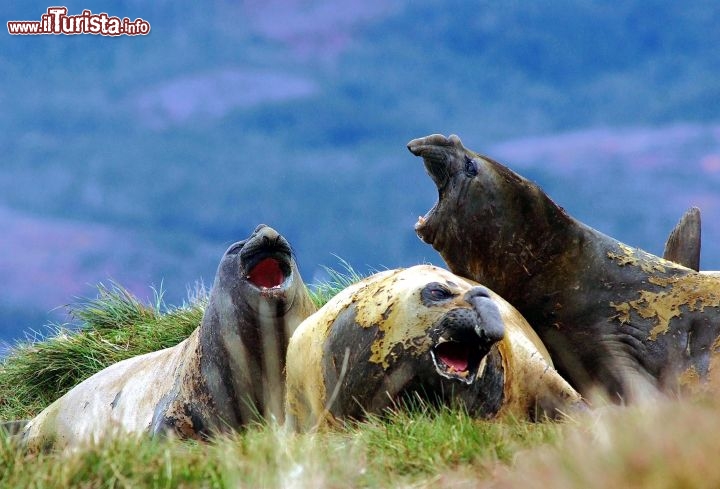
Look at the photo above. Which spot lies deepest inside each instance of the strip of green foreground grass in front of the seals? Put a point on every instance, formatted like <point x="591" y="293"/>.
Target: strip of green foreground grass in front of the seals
<point x="395" y="450"/>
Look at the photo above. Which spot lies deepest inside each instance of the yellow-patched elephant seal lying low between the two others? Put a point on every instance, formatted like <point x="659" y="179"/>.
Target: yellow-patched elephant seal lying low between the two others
<point x="420" y="331"/>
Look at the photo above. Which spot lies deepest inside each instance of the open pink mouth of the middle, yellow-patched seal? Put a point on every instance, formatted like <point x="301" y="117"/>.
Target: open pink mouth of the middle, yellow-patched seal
<point x="458" y="355"/>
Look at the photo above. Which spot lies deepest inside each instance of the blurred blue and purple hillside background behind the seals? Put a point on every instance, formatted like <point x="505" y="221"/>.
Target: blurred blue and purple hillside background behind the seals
<point x="142" y="158"/>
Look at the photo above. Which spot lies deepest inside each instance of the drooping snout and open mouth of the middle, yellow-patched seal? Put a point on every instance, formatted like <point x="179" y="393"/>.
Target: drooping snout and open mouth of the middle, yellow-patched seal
<point x="466" y="336"/>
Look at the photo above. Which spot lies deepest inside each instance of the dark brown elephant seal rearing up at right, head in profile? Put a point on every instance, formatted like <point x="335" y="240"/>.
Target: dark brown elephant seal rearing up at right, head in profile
<point x="611" y="315"/>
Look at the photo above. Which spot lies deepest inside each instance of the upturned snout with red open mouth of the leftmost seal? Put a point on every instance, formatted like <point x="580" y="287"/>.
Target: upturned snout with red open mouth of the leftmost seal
<point x="266" y="258"/>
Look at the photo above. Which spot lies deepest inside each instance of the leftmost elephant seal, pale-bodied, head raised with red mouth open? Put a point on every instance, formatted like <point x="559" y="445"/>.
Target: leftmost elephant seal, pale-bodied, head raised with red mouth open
<point x="227" y="373"/>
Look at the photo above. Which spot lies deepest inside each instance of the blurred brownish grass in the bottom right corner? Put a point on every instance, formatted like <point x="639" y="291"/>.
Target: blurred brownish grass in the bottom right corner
<point x="667" y="444"/>
